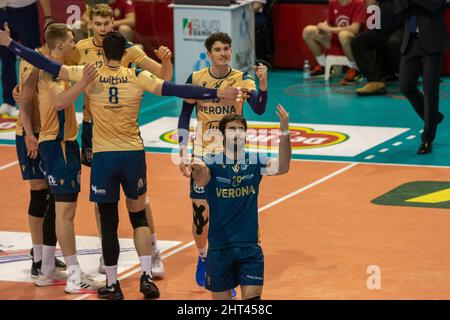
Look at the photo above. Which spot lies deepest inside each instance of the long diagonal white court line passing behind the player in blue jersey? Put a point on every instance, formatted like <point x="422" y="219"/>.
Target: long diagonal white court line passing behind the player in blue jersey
<point x="286" y="197"/>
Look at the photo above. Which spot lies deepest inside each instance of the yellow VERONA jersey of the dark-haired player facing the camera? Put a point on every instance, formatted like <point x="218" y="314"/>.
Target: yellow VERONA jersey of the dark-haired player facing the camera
<point x="210" y="112"/>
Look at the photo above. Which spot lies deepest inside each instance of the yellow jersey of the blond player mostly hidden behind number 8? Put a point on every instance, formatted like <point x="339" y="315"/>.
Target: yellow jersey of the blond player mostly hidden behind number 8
<point x="87" y="52"/>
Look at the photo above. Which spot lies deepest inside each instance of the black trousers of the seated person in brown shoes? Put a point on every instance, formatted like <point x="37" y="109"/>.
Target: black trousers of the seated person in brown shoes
<point x="377" y="53"/>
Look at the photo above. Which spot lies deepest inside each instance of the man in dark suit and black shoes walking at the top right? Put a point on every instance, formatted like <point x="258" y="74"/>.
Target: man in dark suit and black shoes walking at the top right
<point x="424" y="41"/>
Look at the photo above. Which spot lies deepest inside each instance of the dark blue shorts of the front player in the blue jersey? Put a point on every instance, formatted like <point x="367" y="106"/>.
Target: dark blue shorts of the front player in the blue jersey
<point x="229" y="267"/>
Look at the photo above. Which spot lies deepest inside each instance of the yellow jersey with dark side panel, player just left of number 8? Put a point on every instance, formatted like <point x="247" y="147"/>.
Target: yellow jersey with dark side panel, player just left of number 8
<point x="55" y="125"/>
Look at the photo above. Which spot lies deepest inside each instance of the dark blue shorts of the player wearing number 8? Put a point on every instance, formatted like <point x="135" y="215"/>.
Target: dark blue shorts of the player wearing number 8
<point x="115" y="168"/>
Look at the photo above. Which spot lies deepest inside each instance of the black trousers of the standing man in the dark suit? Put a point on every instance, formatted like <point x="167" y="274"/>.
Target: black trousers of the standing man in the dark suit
<point x="415" y="62"/>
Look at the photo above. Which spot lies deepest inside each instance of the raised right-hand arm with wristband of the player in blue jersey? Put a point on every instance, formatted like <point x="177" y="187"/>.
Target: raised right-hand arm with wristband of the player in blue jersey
<point x="281" y="165"/>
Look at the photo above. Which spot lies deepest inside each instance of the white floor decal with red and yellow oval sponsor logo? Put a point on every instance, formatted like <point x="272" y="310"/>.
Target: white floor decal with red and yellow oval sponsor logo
<point x="307" y="138"/>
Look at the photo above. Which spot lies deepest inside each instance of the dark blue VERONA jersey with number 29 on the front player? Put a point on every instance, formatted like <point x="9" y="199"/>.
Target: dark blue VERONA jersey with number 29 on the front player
<point x="232" y="195"/>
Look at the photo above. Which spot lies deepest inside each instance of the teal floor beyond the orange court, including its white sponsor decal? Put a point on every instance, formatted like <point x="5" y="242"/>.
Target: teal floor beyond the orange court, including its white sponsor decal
<point x="341" y="125"/>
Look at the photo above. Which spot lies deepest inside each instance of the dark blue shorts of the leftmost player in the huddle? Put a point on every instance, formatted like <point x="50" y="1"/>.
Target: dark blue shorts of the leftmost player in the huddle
<point x="31" y="168"/>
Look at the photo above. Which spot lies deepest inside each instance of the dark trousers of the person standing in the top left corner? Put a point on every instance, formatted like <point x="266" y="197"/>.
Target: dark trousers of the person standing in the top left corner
<point x="24" y="25"/>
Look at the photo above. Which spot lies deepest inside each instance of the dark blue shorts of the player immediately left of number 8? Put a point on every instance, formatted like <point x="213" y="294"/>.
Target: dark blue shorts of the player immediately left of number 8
<point x="62" y="165"/>
